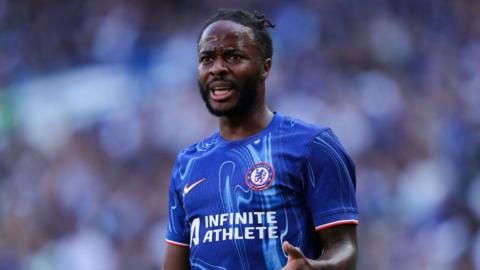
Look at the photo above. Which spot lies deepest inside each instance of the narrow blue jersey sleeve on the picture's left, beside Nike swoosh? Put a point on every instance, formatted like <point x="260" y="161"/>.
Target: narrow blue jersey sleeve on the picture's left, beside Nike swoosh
<point x="178" y="233"/>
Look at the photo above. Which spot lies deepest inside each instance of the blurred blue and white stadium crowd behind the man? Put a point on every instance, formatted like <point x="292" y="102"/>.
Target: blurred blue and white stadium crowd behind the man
<point x="97" y="97"/>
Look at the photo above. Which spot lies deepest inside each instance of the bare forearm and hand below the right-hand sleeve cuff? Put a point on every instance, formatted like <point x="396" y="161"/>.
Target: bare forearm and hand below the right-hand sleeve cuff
<point x="339" y="250"/>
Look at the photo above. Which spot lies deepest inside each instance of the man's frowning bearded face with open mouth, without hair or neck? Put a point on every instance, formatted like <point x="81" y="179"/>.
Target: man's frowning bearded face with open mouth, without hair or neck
<point x="229" y="68"/>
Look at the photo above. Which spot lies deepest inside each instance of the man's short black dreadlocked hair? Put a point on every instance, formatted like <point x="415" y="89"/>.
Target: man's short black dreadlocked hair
<point x="256" y="21"/>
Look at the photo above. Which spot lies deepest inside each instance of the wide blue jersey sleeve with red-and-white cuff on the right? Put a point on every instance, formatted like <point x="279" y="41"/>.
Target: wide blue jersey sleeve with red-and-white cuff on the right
<point x="330" y="182"/>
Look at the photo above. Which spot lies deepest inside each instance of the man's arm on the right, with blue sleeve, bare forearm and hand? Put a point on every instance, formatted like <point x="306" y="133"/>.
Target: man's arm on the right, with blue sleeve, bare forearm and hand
<point x="330" y="196"/>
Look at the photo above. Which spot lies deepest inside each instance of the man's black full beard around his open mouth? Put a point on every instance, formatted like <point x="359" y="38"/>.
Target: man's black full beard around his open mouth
<point x="246" y="101"/>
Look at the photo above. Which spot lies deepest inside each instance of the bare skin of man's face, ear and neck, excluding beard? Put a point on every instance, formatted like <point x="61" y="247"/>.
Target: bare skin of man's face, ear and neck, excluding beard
<point x="229" y="54"/>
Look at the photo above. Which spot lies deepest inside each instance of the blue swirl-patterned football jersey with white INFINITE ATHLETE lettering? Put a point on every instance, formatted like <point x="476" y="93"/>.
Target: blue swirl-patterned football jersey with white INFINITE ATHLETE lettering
<point x="233" y="203"/>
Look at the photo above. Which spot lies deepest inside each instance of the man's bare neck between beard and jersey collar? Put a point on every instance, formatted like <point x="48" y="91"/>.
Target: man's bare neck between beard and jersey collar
<point x="248" y="124"/>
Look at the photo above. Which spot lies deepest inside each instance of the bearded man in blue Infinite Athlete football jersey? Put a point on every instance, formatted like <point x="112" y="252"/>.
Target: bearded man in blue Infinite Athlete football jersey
<point x="266" y="191"/>
